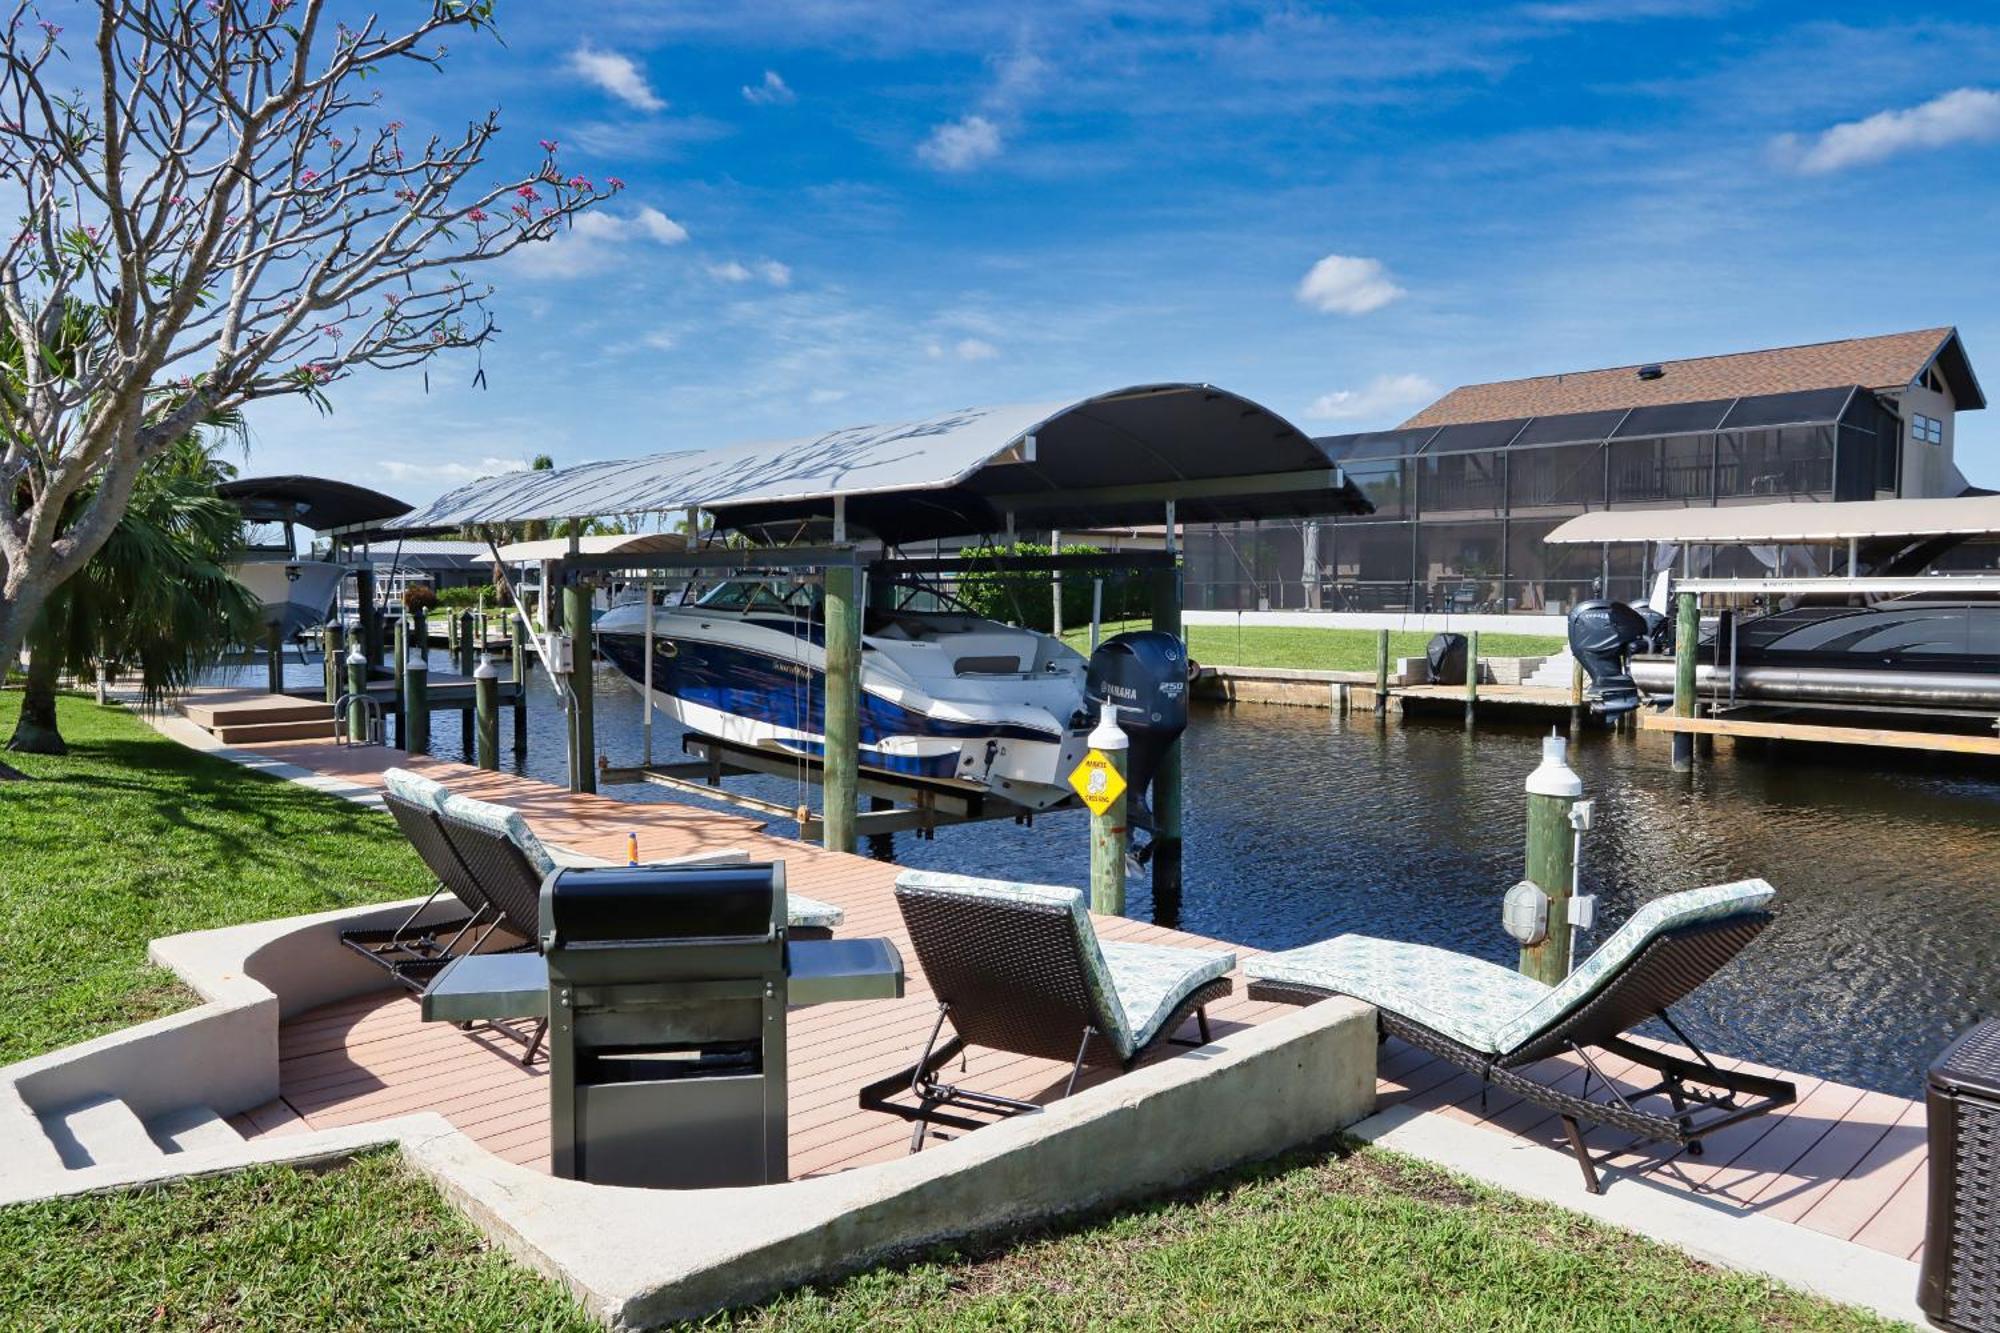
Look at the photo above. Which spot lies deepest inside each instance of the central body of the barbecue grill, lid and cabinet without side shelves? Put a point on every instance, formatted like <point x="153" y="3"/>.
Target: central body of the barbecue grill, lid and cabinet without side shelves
<point x="667" y="998"/>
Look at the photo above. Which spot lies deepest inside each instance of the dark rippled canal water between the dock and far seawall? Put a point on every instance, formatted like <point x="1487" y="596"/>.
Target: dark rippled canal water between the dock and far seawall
<point x="1303" y="824"/>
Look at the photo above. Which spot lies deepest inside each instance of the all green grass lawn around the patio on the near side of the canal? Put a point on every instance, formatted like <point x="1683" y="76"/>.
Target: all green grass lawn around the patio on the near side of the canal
<point x="133" y="838"/>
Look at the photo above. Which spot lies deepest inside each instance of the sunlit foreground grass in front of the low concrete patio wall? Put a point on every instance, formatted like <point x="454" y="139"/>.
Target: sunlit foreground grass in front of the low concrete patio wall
<point x="1331" y="1240"/>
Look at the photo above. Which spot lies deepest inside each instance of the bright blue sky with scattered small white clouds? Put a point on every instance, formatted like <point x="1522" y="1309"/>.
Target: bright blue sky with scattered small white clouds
<point x="845" y="213"/>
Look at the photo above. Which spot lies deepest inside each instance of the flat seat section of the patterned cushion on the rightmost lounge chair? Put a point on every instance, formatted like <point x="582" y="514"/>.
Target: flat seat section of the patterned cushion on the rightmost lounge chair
<point x="1467" y="1000"/>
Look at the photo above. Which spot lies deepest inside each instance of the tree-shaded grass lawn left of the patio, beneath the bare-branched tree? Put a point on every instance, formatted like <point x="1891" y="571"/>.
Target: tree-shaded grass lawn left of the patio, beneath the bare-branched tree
<point x="133" y="838"/>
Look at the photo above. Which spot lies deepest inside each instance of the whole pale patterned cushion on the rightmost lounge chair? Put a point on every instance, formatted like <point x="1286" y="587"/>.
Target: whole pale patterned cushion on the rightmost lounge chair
<point x="1479" y="1004"/>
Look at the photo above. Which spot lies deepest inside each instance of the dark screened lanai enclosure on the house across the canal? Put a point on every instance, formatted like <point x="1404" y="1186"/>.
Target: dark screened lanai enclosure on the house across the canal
<point x="1461" y="513"/>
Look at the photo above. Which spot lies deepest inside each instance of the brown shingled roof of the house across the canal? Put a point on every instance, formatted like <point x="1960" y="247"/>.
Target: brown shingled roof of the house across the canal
<point x="1889" y="361"/>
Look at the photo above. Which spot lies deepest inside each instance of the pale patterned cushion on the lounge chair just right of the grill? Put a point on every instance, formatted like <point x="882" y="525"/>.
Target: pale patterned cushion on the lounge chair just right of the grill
<point x="1135" y="986"/>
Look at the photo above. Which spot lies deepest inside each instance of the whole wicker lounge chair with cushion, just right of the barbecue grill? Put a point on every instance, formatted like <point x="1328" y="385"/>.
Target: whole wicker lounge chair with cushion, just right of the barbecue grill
<point x="1019" y="968"/>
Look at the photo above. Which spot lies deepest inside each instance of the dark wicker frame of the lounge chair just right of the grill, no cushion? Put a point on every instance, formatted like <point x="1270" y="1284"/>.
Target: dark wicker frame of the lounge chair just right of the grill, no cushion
<point x="973" y="954"/>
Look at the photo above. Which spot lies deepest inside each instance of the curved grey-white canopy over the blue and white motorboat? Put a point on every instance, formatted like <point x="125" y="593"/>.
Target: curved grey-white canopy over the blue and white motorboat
<point x="1111" y="459"/>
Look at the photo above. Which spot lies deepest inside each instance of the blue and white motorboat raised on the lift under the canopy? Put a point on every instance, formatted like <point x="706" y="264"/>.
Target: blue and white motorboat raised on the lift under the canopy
<point x="947" y="696"/>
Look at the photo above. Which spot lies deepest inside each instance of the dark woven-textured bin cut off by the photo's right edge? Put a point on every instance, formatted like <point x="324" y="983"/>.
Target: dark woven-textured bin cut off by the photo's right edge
<point x="1961" y="1276"/>
